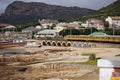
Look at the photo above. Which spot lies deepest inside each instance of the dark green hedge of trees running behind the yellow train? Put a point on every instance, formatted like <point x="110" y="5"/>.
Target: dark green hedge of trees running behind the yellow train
<point x="87" y="31"/>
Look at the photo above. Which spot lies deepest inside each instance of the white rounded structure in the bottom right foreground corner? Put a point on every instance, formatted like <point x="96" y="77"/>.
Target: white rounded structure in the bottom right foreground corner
<point x="109" y="68"/>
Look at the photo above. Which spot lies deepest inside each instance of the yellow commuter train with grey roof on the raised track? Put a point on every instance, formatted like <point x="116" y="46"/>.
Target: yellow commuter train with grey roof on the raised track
<point x="112" y="39"/>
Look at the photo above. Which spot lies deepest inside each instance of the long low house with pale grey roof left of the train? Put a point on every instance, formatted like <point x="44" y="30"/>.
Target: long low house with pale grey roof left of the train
<point x="47" y="33"/>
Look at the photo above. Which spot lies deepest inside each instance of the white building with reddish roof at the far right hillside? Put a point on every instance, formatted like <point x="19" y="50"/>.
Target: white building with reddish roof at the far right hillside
<point x="113" y="21"/>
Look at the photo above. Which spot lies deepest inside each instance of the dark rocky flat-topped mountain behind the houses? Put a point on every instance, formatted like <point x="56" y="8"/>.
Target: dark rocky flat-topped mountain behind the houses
<point x="23" y="12"/>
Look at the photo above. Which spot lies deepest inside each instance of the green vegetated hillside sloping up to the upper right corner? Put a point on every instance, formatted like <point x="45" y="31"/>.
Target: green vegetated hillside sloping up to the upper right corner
<point x="110" y="10"/>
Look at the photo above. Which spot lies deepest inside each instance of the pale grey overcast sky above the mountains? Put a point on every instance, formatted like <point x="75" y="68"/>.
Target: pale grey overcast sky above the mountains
<point x="91" y="4"/>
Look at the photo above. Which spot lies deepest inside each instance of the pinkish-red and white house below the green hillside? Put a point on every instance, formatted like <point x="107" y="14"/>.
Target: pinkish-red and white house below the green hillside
<point x="98" y="24"/>
